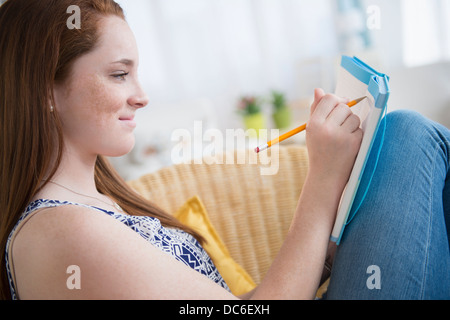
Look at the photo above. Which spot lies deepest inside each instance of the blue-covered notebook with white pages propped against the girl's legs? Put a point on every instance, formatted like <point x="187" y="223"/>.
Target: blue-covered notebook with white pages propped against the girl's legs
<point x="357" y="79"/>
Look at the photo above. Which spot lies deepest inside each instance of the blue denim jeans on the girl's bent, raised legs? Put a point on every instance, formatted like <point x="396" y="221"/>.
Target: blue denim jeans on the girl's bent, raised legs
<point x="397" y="246"/>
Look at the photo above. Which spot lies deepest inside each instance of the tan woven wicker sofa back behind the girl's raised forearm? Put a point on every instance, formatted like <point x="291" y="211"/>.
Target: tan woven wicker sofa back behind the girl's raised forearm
<point x="250" y="211"/>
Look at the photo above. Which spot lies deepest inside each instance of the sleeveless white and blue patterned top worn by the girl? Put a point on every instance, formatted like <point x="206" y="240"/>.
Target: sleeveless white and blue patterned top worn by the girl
<point x="177" y="243"/>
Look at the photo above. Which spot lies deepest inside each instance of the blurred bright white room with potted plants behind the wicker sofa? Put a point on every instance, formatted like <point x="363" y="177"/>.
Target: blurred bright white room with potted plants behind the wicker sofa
<point x="198" y="58"/>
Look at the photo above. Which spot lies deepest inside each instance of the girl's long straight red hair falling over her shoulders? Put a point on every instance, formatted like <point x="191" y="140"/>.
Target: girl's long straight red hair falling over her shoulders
<point x="37" y="50"/>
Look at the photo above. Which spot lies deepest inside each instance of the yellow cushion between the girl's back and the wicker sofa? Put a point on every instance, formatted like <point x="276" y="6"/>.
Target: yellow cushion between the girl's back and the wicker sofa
<point x="194" y="215"/>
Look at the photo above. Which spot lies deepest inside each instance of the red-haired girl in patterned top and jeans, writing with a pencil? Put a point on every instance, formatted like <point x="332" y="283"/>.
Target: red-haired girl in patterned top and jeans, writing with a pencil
<point x="68" y="100"/>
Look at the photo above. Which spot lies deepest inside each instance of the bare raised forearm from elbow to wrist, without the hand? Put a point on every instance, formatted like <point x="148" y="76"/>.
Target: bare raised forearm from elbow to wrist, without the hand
<point x="296" y="272"/>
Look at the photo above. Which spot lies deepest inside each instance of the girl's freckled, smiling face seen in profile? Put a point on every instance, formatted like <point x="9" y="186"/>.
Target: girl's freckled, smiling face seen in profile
<point x="97" y="104"/>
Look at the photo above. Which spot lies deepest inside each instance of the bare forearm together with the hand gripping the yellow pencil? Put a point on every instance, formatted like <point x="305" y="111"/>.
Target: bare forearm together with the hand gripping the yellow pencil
<point x="333" y="140"/>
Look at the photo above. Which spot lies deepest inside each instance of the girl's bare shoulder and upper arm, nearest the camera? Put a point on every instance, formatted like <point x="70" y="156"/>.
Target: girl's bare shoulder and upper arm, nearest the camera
<point x="71" y="252"/>
